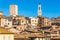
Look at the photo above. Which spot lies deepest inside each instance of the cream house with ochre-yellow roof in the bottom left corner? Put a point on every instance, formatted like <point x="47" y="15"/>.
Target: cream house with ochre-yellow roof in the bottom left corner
<point x="6" y="35"/>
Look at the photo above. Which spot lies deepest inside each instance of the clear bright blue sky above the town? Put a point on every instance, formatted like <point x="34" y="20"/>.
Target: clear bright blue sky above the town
<point x="50" y="8"/>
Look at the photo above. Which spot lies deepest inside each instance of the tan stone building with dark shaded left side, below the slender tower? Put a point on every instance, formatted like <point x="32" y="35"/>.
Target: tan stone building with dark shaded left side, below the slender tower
<point x="44" y="21"/>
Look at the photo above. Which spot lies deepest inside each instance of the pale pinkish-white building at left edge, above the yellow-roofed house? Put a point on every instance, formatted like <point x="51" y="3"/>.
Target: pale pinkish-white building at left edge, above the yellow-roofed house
<point x="4" y="22"/>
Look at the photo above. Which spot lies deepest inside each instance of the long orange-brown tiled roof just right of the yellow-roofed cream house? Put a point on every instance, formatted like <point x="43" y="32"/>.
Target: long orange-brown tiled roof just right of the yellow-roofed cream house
<point x="24" y="35"/>
